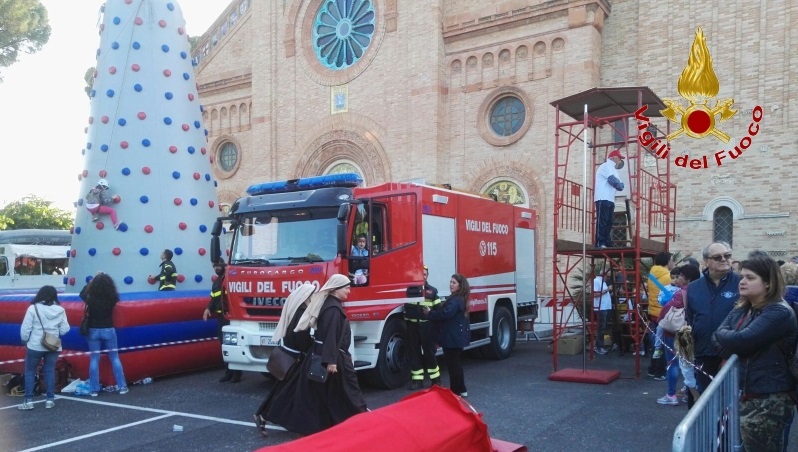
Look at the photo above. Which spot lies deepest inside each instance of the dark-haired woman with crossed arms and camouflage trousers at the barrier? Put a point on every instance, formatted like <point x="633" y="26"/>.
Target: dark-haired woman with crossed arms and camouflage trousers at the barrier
<point x="760" y="330"/>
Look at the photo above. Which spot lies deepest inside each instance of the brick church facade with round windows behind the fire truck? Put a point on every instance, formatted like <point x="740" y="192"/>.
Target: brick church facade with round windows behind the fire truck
<point x="459" y="92"/>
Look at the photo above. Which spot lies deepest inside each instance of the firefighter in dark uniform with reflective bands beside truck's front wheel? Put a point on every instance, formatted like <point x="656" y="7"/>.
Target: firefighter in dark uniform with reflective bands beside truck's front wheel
<point x="420" y="345"/>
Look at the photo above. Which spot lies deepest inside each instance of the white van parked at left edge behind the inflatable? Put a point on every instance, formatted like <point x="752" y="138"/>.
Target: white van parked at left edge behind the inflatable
<point x="31" y="258"/>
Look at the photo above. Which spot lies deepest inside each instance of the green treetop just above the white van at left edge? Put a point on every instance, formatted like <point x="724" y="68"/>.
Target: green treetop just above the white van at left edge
<point x="32" y="212"/>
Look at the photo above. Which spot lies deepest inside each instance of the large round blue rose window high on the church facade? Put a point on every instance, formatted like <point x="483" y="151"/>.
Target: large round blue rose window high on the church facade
<point x="342" y="32"/>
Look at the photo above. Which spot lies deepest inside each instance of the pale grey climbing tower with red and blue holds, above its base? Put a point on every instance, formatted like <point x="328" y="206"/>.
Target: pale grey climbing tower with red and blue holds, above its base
<point x="145" y="137"/>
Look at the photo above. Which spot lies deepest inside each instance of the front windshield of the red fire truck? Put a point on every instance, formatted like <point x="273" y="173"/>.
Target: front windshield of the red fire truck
<point x="285" y="237"/>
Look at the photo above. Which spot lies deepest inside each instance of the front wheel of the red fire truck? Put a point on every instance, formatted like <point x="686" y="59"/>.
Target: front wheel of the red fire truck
<point x="392" y="370"/>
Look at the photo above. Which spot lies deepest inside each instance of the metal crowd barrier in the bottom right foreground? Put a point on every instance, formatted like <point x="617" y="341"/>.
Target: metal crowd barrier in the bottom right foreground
<point x="713" y="423"/>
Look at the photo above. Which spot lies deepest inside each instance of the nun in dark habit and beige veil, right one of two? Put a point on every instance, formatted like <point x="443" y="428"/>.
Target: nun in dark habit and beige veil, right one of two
<point x="307" y="406"/>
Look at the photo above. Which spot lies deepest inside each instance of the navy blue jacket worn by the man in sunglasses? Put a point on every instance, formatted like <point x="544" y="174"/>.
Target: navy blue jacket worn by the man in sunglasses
<point x="707" y="306"/>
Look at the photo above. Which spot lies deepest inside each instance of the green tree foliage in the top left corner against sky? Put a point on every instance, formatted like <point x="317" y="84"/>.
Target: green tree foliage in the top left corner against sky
<point x="24" y="27"/>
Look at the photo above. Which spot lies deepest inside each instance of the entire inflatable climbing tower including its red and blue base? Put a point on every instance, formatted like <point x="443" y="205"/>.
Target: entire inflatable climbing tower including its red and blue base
<point x="146" y="140"/>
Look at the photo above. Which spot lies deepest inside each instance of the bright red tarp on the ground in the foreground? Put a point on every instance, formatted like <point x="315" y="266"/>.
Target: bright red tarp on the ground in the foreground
<point x="430" y="420"/>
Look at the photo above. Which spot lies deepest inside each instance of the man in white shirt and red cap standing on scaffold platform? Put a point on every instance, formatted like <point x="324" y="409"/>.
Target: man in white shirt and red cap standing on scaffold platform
<point x="607" y="183"/>
